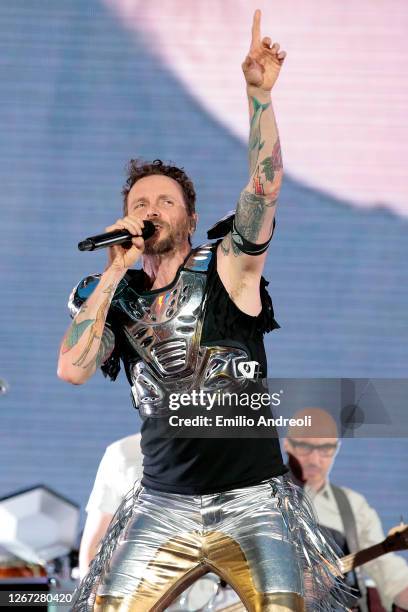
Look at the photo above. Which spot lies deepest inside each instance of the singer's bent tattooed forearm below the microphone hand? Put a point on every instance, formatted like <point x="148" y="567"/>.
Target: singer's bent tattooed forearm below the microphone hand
<point x="88" y="342"/>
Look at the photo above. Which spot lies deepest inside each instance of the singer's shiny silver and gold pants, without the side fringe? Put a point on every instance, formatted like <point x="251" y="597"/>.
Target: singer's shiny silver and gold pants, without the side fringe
<point x="171" y="540"/>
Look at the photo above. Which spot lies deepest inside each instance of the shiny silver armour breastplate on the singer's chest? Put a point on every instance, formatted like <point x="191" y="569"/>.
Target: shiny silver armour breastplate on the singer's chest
<point x="164" y="329"/>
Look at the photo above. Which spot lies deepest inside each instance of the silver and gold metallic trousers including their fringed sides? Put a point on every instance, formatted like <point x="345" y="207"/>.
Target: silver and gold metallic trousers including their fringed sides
<point x="261" y="539"/>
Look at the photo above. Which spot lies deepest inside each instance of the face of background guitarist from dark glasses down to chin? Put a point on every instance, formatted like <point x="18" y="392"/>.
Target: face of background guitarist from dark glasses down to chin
<point x="315" y="456"/>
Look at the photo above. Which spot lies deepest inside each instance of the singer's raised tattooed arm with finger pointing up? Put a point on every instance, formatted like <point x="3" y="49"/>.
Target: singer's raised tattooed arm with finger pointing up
<point x="257" y="203"/>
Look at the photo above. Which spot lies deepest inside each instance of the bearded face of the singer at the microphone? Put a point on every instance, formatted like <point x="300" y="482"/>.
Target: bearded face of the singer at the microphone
<point x="160" y="199"/>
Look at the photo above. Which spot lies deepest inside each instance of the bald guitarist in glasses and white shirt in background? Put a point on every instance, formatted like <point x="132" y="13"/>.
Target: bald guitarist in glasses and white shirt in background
<point x="353" y="523"/>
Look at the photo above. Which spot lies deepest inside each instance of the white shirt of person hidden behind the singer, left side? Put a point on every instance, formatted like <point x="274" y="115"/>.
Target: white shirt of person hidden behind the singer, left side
<point x="120" y="467"/>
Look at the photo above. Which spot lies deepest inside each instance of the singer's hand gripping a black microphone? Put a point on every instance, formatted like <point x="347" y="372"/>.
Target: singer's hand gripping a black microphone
<point x="124" y="239"/>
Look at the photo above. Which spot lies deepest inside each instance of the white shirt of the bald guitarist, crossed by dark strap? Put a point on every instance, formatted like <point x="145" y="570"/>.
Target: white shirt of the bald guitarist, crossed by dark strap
<point x="389" y="572"/>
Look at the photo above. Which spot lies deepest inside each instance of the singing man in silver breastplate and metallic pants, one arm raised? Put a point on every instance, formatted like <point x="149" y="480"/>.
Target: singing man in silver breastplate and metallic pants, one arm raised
<point x="187" y="321"/>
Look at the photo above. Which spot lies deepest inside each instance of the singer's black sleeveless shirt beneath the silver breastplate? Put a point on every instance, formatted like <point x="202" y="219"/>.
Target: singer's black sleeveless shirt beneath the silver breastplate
<point x="198" y="466"/>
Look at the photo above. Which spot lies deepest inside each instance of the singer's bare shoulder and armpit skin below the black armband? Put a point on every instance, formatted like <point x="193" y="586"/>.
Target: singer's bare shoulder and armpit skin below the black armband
<point x="243" y="287"/>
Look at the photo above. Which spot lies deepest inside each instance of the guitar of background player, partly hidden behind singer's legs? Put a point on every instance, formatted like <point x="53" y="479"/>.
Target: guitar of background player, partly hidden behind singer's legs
<point x="397" y="539"/>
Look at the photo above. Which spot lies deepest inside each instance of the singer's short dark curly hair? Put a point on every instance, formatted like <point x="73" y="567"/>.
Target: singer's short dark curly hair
<point x="137" y="169"/>
